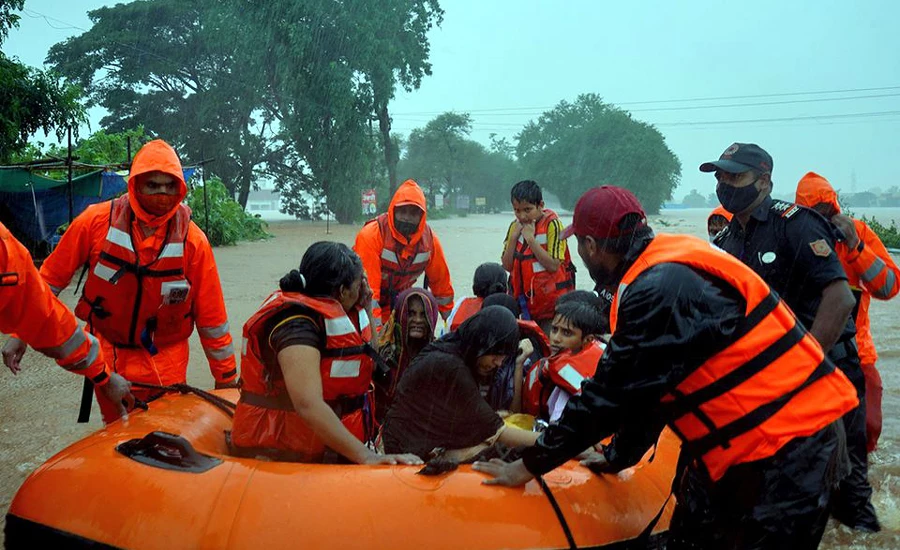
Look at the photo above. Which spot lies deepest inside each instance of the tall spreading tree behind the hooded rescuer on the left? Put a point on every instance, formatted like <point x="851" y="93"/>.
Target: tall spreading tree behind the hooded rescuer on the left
<point x="170" y="67"/>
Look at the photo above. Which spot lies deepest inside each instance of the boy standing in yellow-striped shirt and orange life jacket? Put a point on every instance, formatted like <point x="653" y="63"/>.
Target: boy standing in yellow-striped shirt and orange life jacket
<point x="536" y="255"/>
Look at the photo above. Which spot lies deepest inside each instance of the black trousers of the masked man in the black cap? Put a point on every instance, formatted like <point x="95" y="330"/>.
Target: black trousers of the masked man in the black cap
<point x="852" y="503"/>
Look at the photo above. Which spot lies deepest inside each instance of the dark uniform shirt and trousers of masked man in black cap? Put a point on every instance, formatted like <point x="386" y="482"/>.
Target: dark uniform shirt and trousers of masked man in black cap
<point x="792" y="248"/>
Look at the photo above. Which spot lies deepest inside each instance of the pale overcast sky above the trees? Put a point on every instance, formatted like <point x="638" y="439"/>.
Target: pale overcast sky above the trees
<point x="505" y="62"/>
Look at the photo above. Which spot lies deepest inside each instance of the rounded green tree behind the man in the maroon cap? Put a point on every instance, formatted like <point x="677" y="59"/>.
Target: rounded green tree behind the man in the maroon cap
<point x="579" y="145"/>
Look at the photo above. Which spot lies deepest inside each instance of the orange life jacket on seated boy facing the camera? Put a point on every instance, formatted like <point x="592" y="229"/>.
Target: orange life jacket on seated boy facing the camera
<point x="566" y="370"/>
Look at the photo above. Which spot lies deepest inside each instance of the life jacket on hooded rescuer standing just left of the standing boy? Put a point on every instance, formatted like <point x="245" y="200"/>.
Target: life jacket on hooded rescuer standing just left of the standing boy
<point x="397" y="273"/>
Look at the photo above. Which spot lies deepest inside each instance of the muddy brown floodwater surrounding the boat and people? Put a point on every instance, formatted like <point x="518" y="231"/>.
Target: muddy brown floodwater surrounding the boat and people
<point x="38" y="407"/>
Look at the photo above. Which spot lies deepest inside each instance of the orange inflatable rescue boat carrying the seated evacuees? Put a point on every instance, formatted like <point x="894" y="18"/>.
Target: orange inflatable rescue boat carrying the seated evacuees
<point x="128" y="487"/>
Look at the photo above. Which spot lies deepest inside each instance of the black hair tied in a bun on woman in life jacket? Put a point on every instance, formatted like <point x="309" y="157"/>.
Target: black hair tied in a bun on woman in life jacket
<point x="325" y="268"/>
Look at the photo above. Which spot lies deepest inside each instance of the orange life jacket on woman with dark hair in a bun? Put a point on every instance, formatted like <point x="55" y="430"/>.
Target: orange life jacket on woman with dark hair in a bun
<point x="265" y="416"/>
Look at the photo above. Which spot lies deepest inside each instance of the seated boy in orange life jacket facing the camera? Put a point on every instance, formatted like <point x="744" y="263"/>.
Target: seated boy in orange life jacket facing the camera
<point x="576" y="346"/>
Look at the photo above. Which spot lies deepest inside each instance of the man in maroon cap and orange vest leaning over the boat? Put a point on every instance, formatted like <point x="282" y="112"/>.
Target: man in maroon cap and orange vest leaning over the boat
<point x="700" y="343"/>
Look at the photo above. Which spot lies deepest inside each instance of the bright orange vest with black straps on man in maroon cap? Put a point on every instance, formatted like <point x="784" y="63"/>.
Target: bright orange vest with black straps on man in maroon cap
<point x="767" y="385"/>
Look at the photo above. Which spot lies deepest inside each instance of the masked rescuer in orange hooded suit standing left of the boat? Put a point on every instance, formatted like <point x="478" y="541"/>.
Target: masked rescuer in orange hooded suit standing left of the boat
<point x="151" y="276"/>
